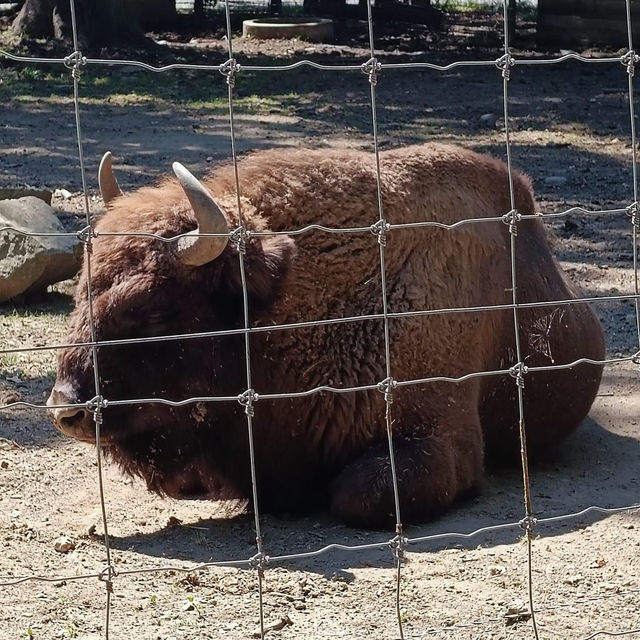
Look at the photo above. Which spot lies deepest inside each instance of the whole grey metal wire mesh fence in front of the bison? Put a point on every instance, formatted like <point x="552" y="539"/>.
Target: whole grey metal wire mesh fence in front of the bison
<point x="231" y="71"/>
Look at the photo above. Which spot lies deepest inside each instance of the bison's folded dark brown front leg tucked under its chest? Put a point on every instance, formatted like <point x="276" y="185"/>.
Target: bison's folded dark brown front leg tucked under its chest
<point x="434" y="467"/>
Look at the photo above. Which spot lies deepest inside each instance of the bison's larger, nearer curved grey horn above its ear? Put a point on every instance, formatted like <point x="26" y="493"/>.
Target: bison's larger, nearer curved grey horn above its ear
<point x="194" y="249"/>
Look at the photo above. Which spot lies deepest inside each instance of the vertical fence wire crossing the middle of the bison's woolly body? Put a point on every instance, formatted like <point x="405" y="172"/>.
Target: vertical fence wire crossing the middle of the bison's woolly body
<point x="372" y="68"/>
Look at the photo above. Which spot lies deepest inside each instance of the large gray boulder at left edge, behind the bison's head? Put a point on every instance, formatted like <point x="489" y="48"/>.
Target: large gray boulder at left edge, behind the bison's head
<point x="29" y="263"/>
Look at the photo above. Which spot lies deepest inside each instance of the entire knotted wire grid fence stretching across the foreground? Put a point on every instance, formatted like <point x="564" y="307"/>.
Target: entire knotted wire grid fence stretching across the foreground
<point x="381" y="229"/>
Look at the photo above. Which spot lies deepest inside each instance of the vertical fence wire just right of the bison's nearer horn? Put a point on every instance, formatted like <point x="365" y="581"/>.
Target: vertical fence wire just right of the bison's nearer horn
<point x="247" y="398"/>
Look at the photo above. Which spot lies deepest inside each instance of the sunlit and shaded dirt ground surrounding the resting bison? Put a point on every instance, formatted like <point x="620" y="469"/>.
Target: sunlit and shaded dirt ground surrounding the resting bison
<point x="571" y="134"/>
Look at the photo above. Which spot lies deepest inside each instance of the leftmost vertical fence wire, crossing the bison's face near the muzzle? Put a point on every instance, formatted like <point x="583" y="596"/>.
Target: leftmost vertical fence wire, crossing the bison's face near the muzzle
<point x="97" y="404"/>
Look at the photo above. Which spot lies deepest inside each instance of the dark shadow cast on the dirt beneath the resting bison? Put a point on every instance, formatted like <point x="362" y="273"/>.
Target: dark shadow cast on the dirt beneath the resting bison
<point x="595" y="467"/>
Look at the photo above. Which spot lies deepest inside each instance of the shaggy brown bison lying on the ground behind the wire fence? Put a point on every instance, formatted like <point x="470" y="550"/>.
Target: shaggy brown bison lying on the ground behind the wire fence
<point x="325" y="446"/>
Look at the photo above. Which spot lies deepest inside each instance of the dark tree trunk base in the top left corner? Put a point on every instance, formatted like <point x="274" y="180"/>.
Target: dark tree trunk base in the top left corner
<point x="99" y="22"/>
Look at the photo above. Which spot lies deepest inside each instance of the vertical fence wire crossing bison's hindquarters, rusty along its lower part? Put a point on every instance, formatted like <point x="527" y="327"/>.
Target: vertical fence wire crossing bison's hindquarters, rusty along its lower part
<point x="519" y="369"/>
